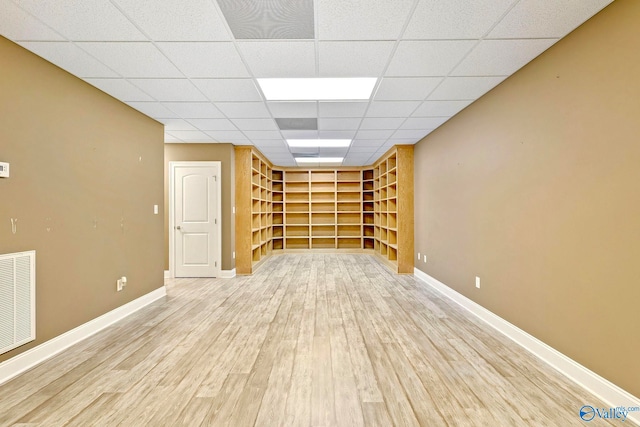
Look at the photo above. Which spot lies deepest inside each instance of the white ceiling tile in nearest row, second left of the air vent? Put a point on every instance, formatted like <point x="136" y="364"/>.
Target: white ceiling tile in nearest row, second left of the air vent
<point x="86" y="20"/>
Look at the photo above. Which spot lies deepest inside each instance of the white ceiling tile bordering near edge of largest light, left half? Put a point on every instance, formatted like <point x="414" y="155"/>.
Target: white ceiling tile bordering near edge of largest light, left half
<point x="280" y="59"/>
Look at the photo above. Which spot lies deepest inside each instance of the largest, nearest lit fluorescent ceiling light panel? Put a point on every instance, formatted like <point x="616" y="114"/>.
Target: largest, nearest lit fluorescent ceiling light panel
<point x="317" y="89"/>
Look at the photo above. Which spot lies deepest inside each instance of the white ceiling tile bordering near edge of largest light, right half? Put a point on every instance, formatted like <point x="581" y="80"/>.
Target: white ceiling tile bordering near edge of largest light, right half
<point x="353" y="59"/>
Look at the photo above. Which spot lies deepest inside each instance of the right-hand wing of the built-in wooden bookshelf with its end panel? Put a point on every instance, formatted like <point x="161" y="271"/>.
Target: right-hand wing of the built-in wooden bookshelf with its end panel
<point x="393" y="208"/>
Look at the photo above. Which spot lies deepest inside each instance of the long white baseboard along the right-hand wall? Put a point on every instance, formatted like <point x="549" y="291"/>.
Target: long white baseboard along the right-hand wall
<point x="605" y="390"/>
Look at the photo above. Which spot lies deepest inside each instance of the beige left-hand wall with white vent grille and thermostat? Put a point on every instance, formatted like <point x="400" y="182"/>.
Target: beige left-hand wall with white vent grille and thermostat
<point x="77" y="155"/>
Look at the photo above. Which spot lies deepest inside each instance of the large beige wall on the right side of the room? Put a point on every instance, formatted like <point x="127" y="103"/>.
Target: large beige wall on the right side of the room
<point x="535" y="188"/>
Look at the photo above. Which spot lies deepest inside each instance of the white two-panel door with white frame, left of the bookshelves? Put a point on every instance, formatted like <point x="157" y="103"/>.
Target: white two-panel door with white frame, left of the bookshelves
<point x="196" y="219"/>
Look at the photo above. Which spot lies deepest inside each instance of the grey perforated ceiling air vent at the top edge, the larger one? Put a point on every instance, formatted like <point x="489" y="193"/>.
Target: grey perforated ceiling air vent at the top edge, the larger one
<point x="269" y="19"/>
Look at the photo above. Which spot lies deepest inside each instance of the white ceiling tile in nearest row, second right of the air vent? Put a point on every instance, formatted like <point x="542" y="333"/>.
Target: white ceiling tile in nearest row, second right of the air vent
<point x="459" y="19"/>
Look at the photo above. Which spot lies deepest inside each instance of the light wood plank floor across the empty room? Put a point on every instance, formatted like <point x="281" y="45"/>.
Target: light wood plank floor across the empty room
<point x="309" y="340"/>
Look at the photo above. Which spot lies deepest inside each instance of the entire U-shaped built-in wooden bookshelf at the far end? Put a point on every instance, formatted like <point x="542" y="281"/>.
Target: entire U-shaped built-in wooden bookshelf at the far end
<point x="346" y="209"/>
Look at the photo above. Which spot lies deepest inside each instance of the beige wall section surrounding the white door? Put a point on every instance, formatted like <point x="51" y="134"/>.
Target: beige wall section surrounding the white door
<point x="207" y="152"/>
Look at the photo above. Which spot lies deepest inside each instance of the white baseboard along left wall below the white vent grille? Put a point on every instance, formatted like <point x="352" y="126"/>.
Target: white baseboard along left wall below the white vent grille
<point x="30" y="358"/>
